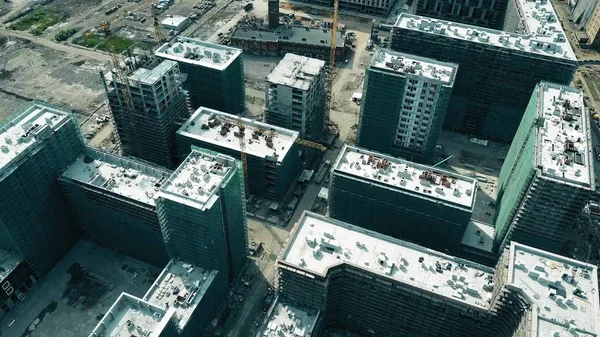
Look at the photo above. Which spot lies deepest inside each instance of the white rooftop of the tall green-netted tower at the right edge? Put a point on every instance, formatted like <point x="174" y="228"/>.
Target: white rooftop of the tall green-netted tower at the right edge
<point x="563" y="149"/>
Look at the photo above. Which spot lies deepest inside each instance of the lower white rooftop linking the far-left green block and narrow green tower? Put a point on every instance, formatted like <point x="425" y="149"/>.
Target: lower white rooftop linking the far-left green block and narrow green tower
<point x="126" y="177"/>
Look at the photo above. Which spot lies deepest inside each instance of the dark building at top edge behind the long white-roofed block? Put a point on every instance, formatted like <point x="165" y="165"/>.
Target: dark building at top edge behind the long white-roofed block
<point x="485" y="13"/>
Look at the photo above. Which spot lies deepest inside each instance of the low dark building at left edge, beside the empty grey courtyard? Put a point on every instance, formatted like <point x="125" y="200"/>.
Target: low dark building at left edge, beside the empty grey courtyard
<point x="15" y="279"/>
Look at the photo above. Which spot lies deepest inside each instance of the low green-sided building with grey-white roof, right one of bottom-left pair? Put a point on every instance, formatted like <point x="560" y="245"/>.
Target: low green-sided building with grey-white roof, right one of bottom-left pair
<point x="193" y="292"/>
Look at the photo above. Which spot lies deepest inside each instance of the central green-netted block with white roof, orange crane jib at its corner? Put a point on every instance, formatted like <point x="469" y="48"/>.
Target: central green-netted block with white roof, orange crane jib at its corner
<point x="272" y="156"/>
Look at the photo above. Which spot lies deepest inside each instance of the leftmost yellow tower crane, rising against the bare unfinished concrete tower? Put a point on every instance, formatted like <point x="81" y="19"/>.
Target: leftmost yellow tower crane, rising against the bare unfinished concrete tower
<point x="120" y="80"/>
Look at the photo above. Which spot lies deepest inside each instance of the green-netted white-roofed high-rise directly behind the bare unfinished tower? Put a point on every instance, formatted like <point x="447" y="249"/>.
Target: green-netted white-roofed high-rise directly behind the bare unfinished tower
<point x="215" y="73"/>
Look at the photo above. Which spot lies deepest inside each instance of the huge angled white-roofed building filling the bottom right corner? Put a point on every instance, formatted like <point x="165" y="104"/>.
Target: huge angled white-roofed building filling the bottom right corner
<point x="380" y="286"/>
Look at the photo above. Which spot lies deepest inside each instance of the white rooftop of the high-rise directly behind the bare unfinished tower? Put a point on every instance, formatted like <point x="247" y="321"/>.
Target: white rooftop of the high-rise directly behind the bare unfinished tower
<point x="198" y="52"/>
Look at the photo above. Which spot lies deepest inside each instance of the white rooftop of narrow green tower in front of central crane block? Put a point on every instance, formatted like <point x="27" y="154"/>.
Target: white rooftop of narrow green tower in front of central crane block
<point x="197" y="179"/>
